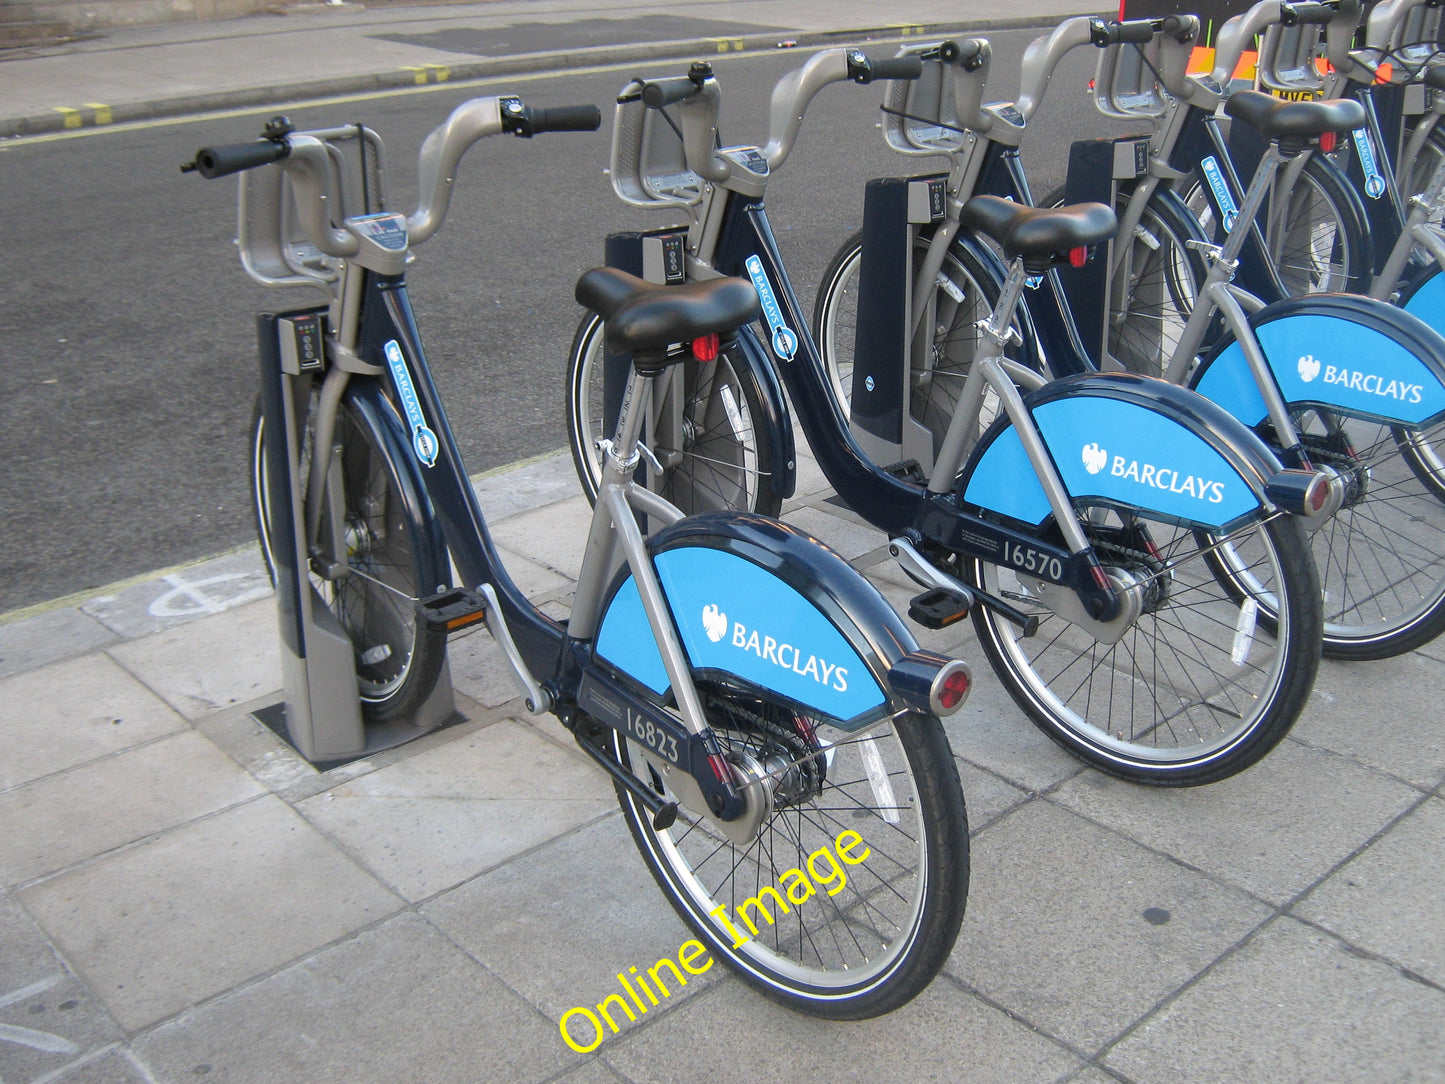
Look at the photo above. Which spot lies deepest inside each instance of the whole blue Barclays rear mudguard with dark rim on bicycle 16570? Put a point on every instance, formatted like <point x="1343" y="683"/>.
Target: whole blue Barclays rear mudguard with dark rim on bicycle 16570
<point x="1128" y="442"/>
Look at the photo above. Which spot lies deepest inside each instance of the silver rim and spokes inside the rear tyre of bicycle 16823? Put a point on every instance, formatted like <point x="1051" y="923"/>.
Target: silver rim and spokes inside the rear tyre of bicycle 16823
<point x="827" y="946"/>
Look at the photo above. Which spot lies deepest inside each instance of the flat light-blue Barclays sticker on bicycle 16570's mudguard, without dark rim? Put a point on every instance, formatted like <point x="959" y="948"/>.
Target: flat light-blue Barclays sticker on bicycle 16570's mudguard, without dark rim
<point x="1116" y="452"/>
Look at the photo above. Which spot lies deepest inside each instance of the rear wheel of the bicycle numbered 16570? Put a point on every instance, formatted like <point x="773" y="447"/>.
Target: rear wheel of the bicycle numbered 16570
<point x="1191" y="693"/>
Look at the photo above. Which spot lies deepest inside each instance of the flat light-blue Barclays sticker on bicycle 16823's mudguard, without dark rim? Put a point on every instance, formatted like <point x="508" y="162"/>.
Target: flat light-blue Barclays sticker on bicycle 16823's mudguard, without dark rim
<point x="741" y="619"/>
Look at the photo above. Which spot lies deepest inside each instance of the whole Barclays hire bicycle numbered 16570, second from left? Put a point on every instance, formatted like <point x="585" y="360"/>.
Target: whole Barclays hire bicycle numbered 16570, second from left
<point x="1066" y="567"/>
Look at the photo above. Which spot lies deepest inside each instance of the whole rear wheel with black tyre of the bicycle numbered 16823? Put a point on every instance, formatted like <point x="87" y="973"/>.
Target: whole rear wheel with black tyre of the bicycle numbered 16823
<point x="888" y="932"/>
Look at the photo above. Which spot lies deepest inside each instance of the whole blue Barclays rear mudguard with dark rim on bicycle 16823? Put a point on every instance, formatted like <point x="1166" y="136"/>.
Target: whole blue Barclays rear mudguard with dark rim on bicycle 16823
<point x="759" y="601"/>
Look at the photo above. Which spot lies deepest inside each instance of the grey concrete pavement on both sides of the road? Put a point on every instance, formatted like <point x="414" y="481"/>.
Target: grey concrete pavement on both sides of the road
<point x="183" y="898"/>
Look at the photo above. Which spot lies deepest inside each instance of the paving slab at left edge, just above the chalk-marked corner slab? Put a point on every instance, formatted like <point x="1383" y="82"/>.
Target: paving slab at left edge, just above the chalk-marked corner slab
<point x="74" y="816"/>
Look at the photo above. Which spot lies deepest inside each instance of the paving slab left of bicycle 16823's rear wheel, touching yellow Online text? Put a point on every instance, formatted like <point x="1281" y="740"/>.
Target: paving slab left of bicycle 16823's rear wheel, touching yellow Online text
<point x="563" y="923"/>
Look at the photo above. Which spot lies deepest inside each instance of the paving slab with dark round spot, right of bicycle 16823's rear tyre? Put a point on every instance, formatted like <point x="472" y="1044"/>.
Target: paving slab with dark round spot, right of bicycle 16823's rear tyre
<point x="1082" y="933"/>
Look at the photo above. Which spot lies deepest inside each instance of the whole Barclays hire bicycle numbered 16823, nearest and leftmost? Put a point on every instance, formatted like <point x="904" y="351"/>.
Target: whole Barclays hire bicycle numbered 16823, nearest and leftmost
<point x="732" y="762"/>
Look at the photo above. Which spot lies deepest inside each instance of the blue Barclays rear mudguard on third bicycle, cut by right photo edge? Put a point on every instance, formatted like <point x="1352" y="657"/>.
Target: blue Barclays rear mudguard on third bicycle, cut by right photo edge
<point x="1349" y="355"/>
